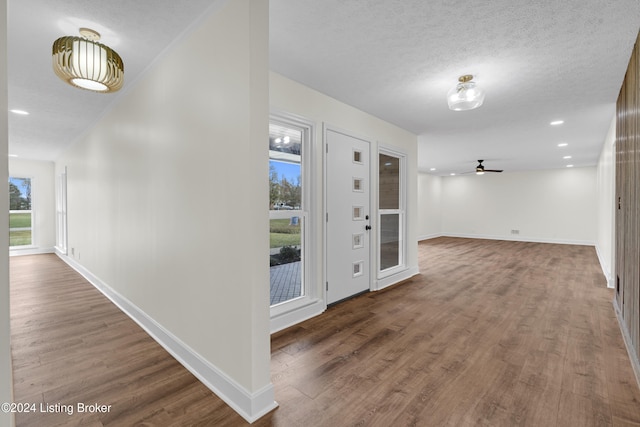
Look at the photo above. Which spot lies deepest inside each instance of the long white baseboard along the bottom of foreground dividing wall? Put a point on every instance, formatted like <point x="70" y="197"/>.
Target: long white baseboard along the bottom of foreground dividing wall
<point x="250" y="406"/>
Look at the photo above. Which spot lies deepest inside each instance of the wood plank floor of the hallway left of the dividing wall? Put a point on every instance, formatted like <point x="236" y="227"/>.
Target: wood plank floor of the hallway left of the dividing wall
<point x="71" y="345"/>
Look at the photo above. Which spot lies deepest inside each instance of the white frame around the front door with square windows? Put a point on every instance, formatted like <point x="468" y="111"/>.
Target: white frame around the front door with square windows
<point x="373" y="211"/>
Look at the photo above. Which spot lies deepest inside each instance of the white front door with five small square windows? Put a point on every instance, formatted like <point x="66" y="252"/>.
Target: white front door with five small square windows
<point x="348" y="216"/>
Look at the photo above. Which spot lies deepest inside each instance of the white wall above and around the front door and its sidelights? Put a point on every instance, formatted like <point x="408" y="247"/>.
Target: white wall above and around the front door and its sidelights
<point x="294" y="98"/>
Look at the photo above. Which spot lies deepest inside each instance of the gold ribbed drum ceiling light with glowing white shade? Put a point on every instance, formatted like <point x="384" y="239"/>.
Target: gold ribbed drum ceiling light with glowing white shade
<point x="87" y="64"/>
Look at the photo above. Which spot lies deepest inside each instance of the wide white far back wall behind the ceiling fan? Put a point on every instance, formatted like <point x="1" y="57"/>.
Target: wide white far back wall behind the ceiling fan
<point x="558" y="205"/>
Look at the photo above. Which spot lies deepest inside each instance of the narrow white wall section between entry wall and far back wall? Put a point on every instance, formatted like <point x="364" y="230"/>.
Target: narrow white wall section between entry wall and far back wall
<point x="429" y="206"/>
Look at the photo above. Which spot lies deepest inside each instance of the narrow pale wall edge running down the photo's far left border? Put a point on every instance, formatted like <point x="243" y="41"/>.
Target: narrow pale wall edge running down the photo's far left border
<point x="6" y="377"/>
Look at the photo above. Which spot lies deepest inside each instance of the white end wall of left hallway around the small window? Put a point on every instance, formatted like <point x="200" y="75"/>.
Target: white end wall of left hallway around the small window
<point x="44" y="202"/>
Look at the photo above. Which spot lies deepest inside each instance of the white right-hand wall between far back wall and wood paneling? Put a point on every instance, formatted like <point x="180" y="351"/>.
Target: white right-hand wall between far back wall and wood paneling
<point x="606" y="181"/>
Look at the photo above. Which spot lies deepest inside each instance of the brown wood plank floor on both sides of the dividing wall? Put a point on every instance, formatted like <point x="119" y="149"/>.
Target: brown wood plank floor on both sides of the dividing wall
<point x="490" y="333"/>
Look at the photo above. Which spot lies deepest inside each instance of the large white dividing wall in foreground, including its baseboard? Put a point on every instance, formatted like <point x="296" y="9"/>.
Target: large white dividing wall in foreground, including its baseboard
<point x="167" y="203"/>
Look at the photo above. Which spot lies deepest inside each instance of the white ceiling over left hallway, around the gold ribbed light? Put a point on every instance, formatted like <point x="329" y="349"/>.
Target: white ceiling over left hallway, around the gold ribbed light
<point x="138" y="30"/>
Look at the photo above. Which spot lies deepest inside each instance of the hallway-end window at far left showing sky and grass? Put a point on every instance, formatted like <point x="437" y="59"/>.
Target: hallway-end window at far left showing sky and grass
<point x="20" y="215"/>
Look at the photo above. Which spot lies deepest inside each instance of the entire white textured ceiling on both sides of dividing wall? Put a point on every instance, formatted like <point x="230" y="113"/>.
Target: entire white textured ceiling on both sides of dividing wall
<point x="396" y="59"/>
